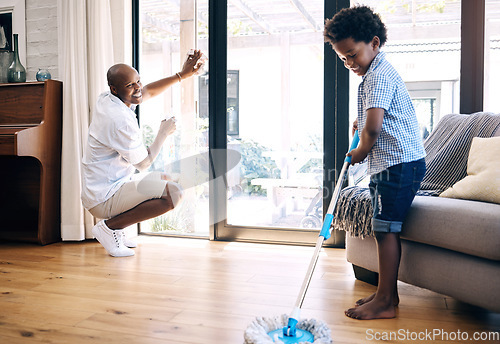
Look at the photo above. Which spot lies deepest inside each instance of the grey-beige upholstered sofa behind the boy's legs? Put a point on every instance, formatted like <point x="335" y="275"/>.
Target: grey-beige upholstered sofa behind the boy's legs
<point x="450" y="246"/>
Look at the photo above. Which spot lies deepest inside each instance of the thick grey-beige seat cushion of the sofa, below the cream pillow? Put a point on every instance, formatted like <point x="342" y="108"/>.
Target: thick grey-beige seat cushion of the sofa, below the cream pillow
<point x="465" y="226"/>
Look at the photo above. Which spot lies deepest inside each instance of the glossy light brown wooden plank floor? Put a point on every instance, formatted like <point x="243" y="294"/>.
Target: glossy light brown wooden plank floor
<point x="195" y="291"/>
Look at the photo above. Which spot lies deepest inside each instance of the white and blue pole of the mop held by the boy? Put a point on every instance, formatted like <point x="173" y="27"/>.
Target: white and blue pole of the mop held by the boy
<point x="326" y="229"/>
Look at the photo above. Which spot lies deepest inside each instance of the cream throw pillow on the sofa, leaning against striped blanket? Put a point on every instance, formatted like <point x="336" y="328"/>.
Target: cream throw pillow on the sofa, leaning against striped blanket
<point x="482" y="182"/>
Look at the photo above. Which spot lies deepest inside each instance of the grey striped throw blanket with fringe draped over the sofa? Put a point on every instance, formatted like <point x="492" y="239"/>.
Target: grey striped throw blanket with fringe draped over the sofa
<point x="447" y="151"/>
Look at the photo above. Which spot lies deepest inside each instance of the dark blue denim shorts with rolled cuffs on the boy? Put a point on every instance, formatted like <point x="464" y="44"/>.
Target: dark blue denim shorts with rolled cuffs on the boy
<point x="392" y="192"/>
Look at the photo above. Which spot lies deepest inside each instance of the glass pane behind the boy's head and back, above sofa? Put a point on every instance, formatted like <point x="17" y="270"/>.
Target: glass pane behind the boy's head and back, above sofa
<point x="424" y="46"/>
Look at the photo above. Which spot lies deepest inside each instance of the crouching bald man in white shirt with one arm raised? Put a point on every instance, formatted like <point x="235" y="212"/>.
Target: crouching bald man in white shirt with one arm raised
<point x="111" y="189"/>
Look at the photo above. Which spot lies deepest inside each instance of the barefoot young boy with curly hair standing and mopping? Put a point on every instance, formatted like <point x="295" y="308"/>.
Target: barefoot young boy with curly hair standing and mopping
<point x="389" y="140"/>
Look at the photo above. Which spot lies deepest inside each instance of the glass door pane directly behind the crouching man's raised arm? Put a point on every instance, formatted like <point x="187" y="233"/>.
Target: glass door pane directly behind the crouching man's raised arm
<point x="168" y="30"/>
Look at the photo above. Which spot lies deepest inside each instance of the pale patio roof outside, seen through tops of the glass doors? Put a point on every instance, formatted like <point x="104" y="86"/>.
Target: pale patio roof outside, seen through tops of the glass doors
<point x="427" y="19"/>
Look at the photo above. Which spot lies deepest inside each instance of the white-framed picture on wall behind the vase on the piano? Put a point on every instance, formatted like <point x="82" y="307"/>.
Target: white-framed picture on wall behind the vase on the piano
<point x="13" y="12"/>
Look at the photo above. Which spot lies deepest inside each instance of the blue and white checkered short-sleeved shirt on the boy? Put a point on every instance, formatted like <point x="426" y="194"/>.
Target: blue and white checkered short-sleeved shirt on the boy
<point x="399" y="140"/>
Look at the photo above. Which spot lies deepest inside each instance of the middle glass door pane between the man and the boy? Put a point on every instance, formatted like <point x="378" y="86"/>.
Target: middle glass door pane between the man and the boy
<point x="275" y="120"/>
